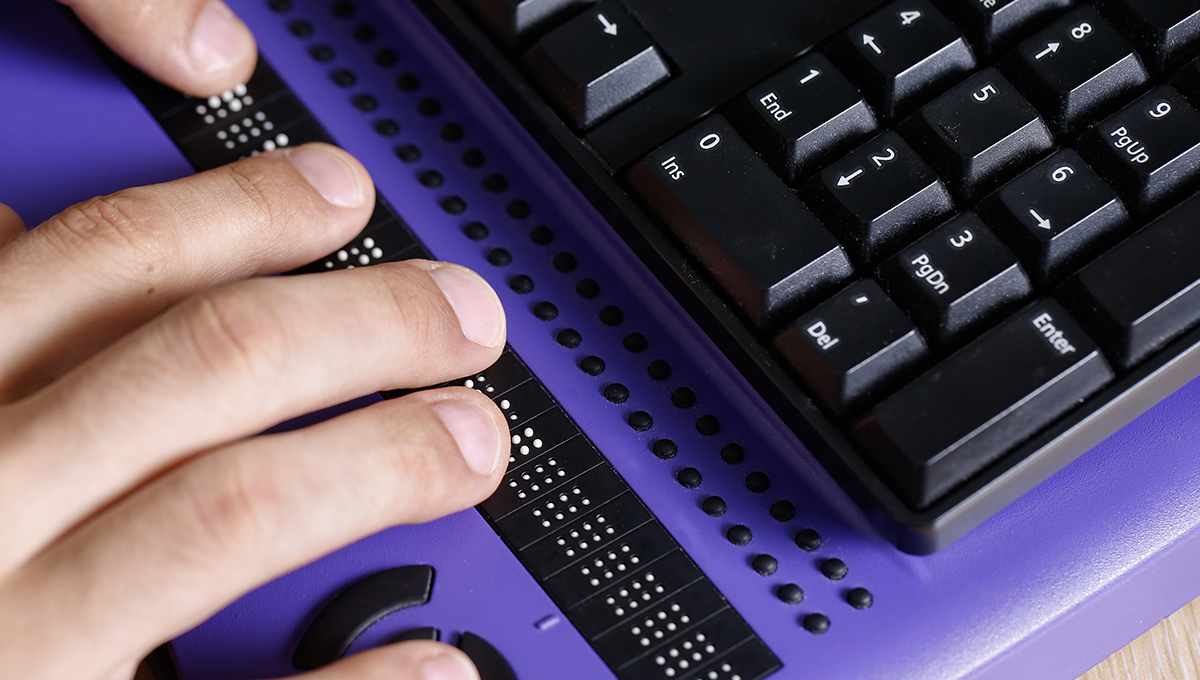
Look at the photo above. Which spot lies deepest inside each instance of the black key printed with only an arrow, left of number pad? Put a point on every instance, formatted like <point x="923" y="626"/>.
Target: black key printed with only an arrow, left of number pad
<point x="596" y="64"/>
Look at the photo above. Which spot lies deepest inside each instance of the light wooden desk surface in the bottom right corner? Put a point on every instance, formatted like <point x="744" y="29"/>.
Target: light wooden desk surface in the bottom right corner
<point x="1168" y="652"/>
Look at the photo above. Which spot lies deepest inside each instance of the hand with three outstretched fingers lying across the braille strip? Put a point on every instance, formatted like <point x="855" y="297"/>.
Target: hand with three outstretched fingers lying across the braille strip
<point x="136" y="365"/>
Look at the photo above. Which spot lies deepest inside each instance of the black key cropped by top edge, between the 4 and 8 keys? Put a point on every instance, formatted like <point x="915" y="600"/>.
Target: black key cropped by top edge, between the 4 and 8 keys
<point x="995" y="26"/>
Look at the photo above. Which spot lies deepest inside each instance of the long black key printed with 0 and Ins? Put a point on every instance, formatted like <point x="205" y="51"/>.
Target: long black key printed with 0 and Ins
<point x="740" y="220"/>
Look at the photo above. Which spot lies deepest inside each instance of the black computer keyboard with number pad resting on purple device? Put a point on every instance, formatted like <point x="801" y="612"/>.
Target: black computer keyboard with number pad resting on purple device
<point x="955" y="243"/>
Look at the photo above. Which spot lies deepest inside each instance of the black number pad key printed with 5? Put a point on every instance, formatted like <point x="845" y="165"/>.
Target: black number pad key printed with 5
<point x="979" y="134"/>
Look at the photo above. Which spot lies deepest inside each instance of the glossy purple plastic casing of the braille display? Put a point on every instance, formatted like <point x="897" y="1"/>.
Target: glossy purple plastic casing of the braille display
<point x="1057" y="582"/>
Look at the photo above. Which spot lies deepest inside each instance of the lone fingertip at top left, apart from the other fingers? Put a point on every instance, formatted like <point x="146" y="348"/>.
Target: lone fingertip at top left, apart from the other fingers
<point x="199" y="47"/>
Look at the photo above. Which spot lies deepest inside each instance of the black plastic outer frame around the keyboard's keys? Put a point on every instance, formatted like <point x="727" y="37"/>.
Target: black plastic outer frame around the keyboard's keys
<point x="915" y="531"/>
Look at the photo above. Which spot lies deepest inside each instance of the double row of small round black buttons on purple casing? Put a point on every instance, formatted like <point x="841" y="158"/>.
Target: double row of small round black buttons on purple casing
<point x="659" y="370"/>
